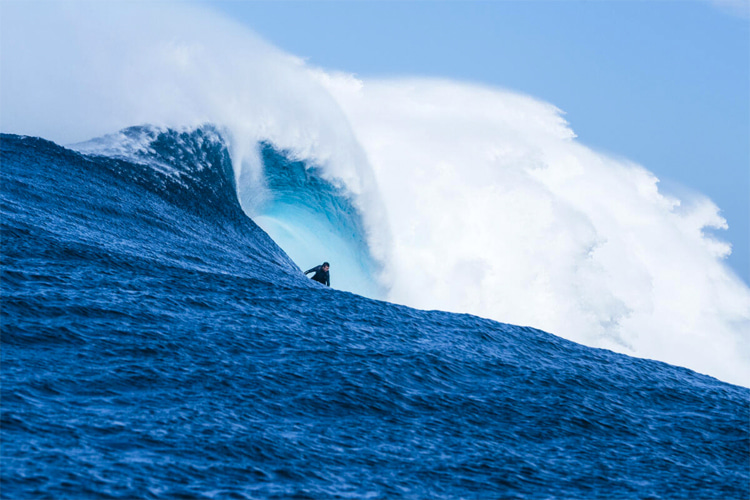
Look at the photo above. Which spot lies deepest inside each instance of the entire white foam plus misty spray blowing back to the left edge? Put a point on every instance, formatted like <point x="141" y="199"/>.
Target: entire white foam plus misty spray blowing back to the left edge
<point x="478" y="200"/>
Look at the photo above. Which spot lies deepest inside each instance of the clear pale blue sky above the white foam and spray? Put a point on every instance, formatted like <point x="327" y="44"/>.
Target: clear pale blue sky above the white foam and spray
<point x="663" y="83"/>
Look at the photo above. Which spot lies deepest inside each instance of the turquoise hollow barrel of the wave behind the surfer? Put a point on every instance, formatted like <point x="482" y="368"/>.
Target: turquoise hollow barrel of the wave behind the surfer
<point x="314" y="221"/>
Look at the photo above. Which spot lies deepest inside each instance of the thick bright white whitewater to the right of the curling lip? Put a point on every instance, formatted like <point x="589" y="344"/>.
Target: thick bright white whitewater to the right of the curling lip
<point x="496" y="210"/>
